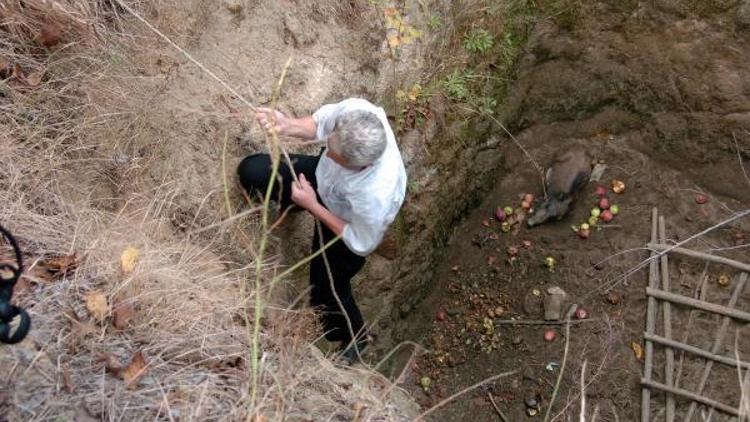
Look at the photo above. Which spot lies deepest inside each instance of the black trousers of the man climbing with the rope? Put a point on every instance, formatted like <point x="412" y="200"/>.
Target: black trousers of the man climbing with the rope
<point x="254" y="172"/>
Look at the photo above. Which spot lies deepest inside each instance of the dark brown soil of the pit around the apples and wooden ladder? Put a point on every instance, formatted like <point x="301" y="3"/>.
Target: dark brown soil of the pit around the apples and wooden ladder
<point x="661" y="97"/>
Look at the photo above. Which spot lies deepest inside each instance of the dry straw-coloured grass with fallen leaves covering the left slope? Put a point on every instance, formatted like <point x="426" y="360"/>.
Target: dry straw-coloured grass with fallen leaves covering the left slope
<point x="133" y="316"/>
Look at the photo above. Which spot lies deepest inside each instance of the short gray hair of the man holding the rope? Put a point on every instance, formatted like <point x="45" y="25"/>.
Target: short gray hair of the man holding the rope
<point x="359" y="137"/>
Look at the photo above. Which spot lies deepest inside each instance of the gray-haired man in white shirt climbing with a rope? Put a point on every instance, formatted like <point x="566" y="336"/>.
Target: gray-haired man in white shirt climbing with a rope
<point x="354" y="188"/>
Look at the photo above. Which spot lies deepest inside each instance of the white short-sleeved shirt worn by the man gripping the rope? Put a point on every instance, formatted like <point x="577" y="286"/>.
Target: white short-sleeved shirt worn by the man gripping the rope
<point x="368" y="199"/>
